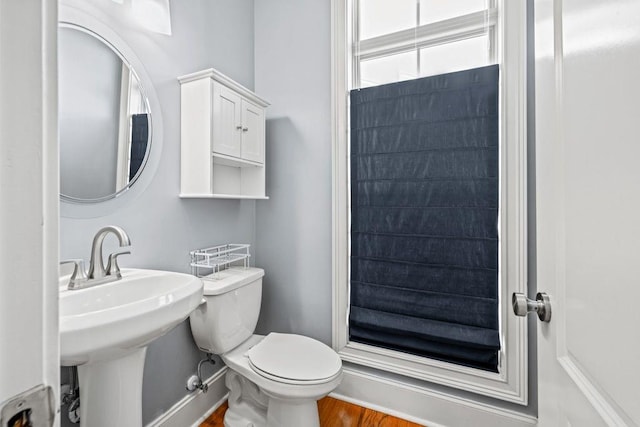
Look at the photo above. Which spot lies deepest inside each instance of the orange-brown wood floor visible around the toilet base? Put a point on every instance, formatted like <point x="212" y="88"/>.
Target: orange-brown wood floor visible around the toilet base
<point x="333" y="413"/>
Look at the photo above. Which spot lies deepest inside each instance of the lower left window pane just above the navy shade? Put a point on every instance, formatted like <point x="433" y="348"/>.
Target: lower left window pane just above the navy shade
<point x="388" y="69"/>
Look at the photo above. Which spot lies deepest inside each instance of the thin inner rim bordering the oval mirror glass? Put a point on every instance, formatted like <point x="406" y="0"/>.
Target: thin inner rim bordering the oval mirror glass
<point x="71" y="199"/>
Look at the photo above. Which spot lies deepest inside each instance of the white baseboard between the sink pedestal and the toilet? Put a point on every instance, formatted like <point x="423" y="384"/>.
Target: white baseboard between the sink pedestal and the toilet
<point x="196" y="407"/>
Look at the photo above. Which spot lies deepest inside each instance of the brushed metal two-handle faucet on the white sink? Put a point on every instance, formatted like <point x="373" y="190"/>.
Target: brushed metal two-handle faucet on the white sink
<point x="97" y="272"/>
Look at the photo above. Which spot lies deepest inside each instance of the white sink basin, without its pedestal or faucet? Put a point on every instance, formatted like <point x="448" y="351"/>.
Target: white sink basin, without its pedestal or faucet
<point x="108" y="320"/>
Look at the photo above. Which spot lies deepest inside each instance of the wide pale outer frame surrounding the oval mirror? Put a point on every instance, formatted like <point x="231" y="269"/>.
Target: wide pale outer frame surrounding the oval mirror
<point x="83" y="17"/>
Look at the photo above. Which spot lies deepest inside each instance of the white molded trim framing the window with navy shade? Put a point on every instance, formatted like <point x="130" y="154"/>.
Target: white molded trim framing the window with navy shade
<point x="510" y="383"/>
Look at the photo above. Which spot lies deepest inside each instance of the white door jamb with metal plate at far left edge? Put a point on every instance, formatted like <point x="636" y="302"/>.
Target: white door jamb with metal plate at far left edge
<point x="29" y="358"/>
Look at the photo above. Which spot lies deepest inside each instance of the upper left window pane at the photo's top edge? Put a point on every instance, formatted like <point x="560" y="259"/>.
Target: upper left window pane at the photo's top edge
<point x="378" y="17"/>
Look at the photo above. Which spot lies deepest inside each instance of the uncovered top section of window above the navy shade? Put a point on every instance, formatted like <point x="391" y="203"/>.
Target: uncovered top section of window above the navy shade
<point x="407" y="39"/>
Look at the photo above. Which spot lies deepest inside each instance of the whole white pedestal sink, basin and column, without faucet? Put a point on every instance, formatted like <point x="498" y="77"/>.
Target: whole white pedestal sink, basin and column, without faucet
<point x="105" y="330"/>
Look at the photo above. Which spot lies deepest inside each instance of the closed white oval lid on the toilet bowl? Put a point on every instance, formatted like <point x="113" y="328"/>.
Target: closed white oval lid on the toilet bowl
<point x="294" y="358"/>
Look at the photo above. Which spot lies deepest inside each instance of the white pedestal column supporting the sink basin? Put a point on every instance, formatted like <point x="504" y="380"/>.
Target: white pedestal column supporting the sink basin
<point x="111" y="391"/>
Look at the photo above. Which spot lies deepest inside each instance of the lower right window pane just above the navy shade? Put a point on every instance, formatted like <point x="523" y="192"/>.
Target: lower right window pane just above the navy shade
<point x="455" y="56"/>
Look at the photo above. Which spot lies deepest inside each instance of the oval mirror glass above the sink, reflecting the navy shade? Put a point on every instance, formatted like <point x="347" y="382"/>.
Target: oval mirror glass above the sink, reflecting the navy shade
<point x="104" y="118"/>
